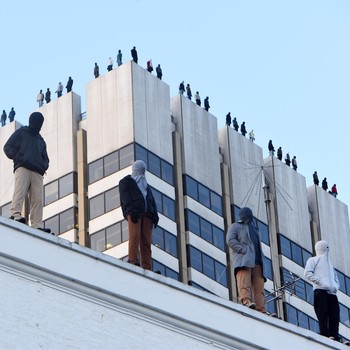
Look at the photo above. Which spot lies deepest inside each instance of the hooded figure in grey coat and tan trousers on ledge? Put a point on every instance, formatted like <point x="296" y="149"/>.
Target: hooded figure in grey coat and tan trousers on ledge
<point x="243" y="238"/>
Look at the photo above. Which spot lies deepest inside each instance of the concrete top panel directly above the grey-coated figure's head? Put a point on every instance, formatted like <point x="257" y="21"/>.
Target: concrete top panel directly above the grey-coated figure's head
<point x="245" y="160"/>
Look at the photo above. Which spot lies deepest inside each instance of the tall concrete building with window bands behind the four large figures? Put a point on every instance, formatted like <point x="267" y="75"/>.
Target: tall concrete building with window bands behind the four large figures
<point x="200" y="176"/>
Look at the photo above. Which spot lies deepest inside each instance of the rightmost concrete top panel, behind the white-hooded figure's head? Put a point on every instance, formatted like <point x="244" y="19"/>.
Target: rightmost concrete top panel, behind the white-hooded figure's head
<point x="332" y="218"/>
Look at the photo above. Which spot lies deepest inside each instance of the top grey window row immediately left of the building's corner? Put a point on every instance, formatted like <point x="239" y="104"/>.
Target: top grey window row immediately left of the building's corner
<point x="111" y="163"/>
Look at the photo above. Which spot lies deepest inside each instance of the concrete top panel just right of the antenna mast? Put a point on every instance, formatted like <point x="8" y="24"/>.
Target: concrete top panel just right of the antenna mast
<point x="292" y="201"/>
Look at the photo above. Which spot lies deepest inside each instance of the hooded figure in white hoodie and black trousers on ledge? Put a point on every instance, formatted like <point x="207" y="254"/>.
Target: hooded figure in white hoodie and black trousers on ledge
<point x="320" y="272"/>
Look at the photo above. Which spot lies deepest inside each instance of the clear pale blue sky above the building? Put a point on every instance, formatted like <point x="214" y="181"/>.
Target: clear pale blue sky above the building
<point x="281" y="66"/>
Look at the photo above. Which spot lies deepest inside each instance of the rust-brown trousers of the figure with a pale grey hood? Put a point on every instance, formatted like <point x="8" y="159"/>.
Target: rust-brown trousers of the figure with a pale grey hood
<point x="140" y="239"/>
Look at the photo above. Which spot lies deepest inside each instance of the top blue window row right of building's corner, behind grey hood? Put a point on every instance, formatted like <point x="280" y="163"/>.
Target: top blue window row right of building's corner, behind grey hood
<point x="155" y="165"/>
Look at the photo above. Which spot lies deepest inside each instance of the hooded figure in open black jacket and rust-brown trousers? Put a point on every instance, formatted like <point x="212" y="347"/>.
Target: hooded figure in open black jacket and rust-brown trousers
<point x="140" y="210"/>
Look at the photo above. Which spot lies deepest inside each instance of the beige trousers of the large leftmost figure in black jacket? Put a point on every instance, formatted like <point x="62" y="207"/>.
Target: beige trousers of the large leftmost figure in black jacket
<point x="31" y="183"/>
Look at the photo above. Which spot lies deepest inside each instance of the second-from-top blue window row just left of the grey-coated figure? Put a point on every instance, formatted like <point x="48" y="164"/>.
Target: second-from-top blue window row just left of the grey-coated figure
<point x="204" y="229"/>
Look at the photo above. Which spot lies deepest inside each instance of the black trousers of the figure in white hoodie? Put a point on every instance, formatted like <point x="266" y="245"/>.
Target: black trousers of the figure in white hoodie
<point x="327" y="311"/>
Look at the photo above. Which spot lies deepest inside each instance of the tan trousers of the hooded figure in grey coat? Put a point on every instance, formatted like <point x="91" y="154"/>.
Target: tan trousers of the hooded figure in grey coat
<point x="250" y="283"/>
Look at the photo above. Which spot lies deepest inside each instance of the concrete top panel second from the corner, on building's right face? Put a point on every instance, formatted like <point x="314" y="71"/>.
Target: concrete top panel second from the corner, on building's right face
<point x="200" y="145"/>
